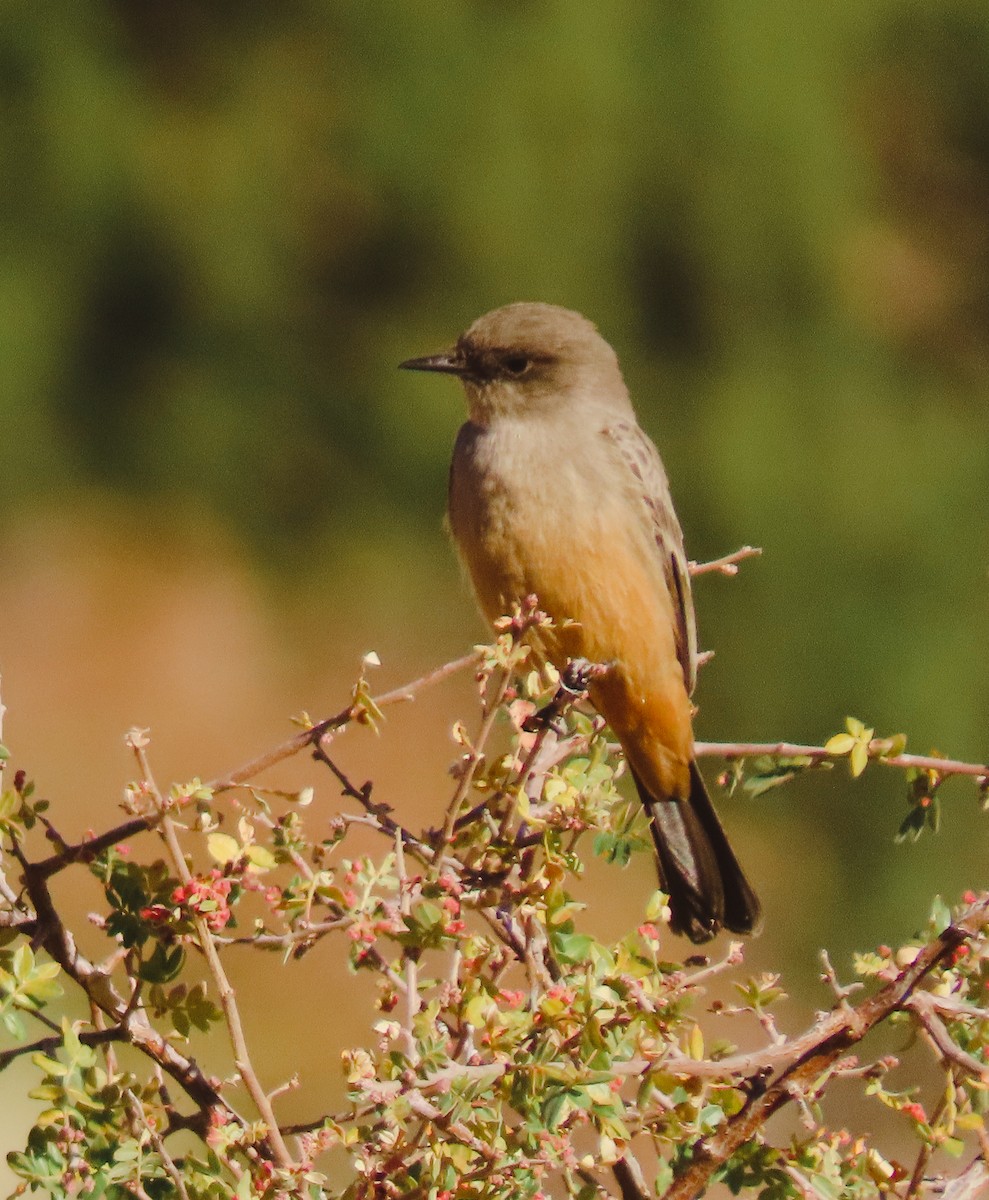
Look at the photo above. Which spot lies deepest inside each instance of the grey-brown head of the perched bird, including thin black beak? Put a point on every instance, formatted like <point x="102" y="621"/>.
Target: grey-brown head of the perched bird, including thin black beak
<point x="531" y="358"/>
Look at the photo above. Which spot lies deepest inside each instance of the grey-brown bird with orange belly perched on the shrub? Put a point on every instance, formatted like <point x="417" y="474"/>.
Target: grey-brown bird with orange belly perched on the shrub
<point x="556" y="491"/>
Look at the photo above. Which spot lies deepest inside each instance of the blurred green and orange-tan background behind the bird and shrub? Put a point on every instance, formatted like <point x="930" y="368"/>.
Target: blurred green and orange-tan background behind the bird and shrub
<point x="224" y="225"/>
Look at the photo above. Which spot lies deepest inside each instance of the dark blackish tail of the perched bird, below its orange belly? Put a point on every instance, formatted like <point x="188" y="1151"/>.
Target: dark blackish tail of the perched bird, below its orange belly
<point x="698" y="867"/>
